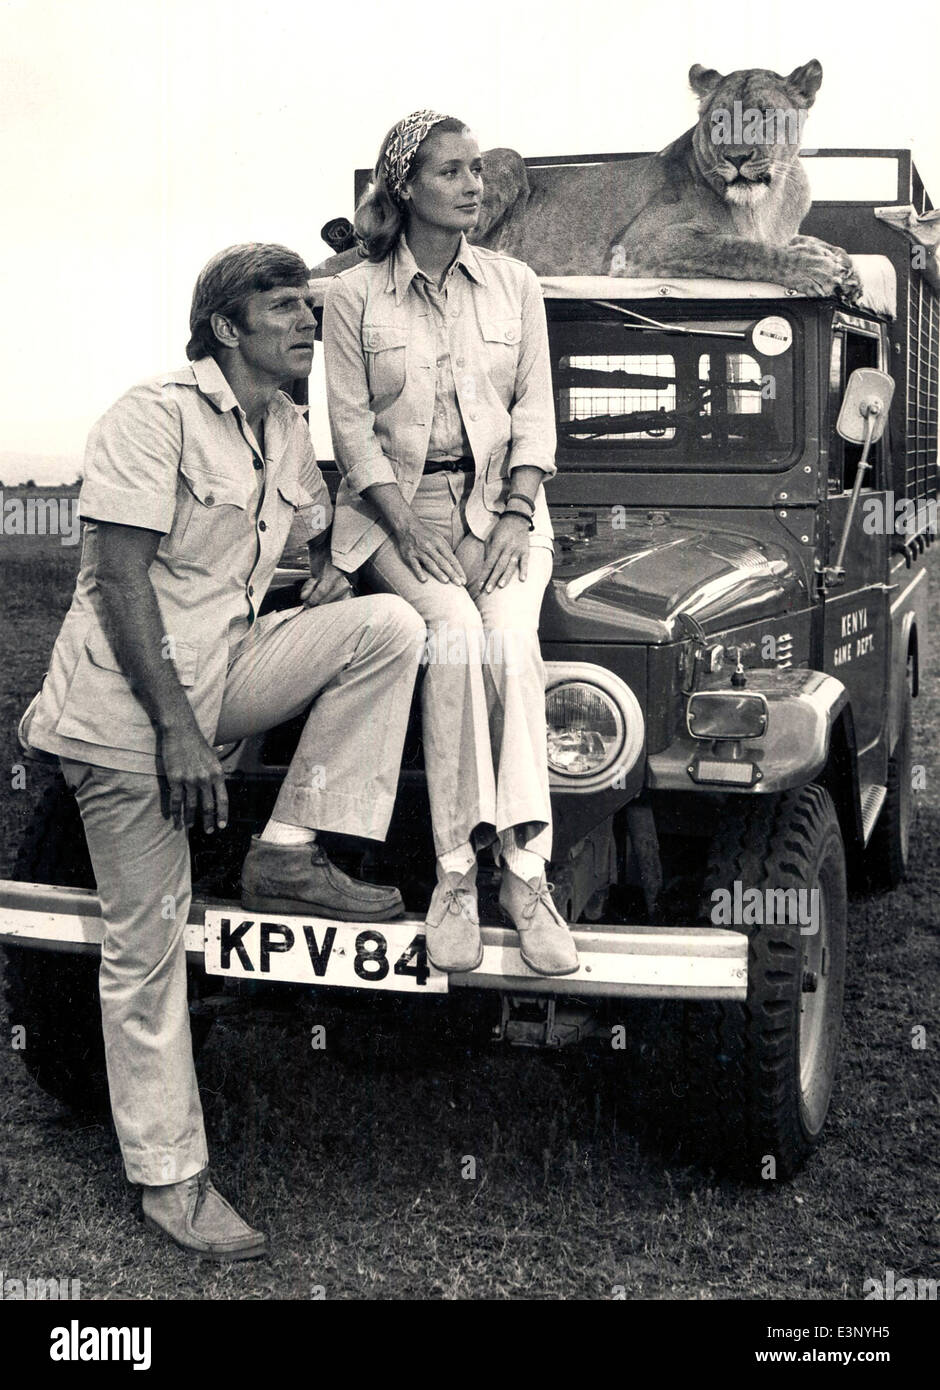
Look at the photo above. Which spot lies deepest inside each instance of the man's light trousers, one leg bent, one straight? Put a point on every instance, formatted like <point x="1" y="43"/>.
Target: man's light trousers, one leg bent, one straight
<point x="359" y="658"/>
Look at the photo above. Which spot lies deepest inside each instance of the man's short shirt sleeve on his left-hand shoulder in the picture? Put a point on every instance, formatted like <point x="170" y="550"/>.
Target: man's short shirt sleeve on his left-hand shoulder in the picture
<point x="133" y="462"/>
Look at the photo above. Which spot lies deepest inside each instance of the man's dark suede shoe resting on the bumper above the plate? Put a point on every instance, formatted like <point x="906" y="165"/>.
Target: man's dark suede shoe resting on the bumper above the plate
<point x="300" y="879"/>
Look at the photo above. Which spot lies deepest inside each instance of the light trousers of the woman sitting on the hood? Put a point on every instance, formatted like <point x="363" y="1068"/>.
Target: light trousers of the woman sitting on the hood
<point x="485" y="686"/>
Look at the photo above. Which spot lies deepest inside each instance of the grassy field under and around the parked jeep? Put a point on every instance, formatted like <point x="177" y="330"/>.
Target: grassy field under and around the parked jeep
<point x="354" y="1157"/>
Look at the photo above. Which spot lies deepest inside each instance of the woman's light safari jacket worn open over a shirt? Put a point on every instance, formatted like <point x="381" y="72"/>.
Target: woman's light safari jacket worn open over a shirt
<point x="382" y="348"/>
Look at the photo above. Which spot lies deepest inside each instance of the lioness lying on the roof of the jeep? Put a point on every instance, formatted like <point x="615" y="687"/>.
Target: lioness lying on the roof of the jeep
<point x="727" y="199"/>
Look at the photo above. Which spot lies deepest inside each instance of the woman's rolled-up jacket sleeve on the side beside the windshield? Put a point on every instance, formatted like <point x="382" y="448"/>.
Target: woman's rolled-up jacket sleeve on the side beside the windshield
<point x="533" y="409"/>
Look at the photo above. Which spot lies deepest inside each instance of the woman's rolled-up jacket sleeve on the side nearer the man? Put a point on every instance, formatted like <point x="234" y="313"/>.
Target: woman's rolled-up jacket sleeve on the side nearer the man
<point x="352" y="423"/>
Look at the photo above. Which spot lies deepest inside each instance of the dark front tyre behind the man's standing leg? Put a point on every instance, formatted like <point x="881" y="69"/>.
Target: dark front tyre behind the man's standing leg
<point x="54" y="995"/>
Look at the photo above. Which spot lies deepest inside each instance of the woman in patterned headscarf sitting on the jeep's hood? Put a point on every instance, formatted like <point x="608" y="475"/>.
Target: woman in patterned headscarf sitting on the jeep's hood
<point x="443" y="422"/>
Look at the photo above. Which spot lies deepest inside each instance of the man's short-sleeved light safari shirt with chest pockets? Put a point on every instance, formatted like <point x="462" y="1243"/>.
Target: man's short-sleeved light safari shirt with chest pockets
<point x="176" y="455"/>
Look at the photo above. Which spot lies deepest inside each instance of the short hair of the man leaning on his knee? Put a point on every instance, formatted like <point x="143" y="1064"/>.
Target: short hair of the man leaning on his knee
<point x="229" y="280"/>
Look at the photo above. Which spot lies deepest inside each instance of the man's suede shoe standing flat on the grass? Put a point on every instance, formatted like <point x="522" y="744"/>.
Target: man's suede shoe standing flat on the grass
<point x="201" y="1221"/>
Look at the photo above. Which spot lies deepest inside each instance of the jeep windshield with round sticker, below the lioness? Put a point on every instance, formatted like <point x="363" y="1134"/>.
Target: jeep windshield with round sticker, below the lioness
<point x="692" y="394"/>
